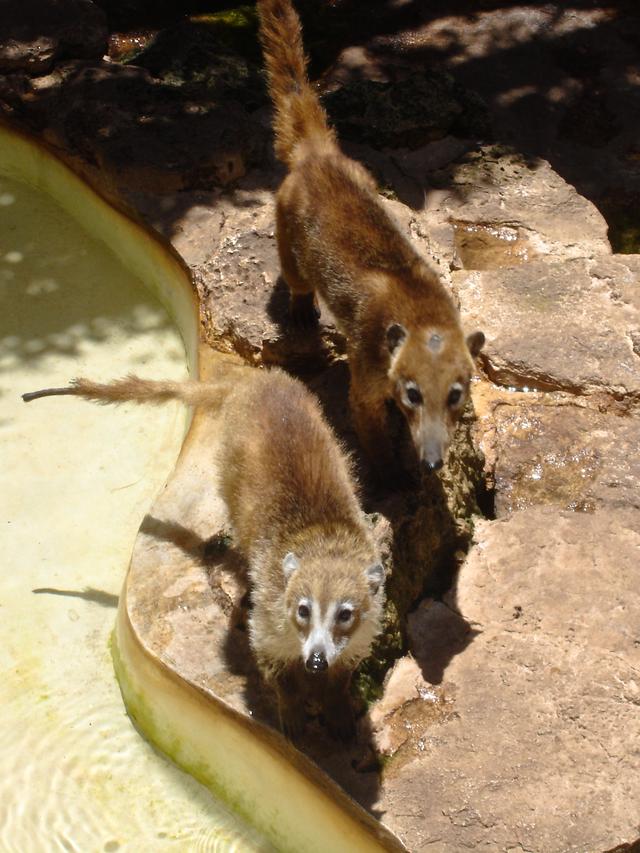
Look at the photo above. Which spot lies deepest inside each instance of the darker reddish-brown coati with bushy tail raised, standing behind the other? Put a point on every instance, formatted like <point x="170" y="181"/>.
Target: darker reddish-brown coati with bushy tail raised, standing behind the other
<point x="405" y="342"/>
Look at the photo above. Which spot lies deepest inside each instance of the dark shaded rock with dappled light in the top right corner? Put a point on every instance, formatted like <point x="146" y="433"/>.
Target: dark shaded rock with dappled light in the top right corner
<point x="558" y="82"/>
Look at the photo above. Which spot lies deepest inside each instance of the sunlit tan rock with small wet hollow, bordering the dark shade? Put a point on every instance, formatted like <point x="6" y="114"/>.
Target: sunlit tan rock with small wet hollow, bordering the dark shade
<point x="495" y="208"/>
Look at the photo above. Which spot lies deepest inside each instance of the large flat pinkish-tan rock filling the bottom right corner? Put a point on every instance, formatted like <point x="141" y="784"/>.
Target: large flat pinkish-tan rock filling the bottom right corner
<point x="538" y="748"/>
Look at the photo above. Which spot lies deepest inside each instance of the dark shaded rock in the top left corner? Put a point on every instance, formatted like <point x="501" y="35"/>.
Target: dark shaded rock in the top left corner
<point x="34" y="34"/>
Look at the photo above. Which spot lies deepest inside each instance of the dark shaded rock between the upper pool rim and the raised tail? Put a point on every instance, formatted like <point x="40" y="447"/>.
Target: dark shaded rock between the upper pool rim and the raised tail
<point x="123" y="126"/>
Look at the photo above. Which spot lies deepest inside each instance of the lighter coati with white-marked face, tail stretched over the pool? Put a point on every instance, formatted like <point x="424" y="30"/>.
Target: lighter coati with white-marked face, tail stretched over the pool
<point x="317" y="584"/>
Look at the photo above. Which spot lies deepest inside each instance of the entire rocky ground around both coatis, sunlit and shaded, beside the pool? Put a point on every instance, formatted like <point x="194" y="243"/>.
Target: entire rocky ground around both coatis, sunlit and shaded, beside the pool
<point x="507" y="708"/>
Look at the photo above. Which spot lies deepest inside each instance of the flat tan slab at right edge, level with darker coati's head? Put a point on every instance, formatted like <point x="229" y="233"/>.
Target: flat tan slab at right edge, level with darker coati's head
<point x="559" y="326"/>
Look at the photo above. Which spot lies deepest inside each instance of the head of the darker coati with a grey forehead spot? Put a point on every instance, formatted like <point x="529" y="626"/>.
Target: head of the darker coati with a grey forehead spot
<point x="429" y="373"/>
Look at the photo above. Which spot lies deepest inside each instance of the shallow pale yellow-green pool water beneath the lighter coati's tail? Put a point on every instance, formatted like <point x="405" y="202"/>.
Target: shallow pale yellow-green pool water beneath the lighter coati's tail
<point x="75" y="482"/>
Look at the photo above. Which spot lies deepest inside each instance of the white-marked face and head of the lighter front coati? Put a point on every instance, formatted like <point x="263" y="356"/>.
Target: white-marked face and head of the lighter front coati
<point x="330" y="607"/>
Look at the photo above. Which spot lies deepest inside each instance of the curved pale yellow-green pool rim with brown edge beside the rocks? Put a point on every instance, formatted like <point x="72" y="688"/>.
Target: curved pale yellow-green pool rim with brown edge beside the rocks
<point x="196" y="729"/>
